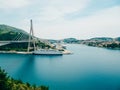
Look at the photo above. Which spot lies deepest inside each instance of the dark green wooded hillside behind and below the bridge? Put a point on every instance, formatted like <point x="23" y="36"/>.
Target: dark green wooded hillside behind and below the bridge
<point x="8" y="33"/>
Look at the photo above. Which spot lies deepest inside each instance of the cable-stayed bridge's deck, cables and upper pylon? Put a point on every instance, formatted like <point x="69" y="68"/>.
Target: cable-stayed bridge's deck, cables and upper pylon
<point x="24" y="37"/>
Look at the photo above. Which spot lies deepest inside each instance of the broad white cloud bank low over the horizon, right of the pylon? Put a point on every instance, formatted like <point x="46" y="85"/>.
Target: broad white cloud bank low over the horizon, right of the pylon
<point x="102" y="23"/>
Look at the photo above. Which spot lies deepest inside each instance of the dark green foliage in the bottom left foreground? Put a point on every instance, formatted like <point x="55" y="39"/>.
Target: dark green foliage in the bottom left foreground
<point x="7" y="83"/>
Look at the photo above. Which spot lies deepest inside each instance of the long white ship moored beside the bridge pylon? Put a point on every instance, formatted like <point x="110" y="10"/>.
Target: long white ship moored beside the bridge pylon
<point x="47" y="52"/>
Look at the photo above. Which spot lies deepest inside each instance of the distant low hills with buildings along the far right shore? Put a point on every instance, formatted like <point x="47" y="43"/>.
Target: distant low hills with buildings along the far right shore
<point x="105" y="42"/>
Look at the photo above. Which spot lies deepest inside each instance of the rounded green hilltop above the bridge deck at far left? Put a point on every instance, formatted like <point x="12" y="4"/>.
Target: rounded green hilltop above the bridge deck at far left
<point x="10" y="33"/>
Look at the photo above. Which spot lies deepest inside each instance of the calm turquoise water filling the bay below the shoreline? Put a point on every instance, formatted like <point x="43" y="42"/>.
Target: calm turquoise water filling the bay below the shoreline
<point x="89" y="68"/>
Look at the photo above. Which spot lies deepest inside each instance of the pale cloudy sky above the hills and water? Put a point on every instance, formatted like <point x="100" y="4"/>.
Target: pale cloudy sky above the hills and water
<point x="58" y="19"/>
